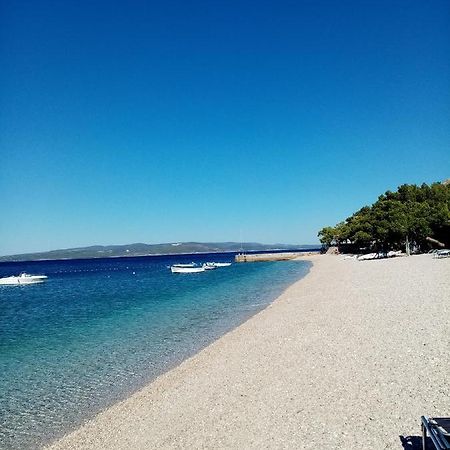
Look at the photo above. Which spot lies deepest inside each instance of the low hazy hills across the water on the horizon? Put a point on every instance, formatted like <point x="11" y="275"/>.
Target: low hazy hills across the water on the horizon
<point x="115" y="251"/>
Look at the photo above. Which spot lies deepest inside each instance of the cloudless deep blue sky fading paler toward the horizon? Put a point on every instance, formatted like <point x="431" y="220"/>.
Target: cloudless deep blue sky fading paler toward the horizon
<point x="172" y="121"/>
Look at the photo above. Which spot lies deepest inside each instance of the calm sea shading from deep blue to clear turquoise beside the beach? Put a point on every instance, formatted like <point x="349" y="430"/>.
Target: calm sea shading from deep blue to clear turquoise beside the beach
<point x="97" y="330"/>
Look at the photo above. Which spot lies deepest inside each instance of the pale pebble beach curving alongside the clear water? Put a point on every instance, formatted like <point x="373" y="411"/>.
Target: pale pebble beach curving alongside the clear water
<point x="348" y="357"/>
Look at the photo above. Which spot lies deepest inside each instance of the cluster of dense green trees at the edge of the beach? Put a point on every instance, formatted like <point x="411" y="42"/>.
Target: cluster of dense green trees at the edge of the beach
<point x="413" y="217"/>
